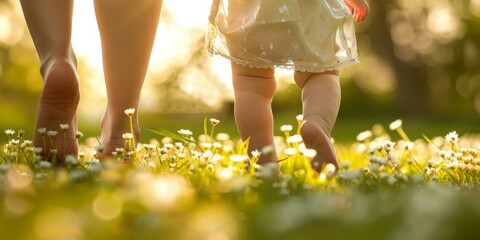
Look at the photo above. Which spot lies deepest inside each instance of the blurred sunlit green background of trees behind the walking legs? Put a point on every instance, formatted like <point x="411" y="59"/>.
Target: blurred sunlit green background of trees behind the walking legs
<point x="420" y="62"/>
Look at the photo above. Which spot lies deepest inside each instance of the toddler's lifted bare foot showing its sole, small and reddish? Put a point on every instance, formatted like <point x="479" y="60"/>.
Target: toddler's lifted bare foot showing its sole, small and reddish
<point x="316" y="138"/>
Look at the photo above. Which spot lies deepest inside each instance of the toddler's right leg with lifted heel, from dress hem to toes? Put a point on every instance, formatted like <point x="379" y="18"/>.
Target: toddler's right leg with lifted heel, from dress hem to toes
<point x="321" y="102"/>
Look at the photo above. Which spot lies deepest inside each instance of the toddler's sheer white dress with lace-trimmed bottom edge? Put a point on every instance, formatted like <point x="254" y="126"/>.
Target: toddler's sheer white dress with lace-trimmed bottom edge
<point x="303" y="35"/>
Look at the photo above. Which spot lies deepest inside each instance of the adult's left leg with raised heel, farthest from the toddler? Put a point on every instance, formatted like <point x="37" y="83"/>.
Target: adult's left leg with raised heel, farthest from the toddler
<point x="49" y="23"/>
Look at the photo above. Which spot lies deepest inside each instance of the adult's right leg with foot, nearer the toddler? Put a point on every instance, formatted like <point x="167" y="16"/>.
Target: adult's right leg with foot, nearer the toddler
<point x="127" y="29"/>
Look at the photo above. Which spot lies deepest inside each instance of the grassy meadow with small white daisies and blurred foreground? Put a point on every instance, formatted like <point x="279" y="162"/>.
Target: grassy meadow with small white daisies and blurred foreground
<point x="204" y="185"/>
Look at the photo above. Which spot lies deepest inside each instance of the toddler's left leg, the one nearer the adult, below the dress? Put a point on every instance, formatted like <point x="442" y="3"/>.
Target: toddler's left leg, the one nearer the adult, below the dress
<point x="254" y="90"/>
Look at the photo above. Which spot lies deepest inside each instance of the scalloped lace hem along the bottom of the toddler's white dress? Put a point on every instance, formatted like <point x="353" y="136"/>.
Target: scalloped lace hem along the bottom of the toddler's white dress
<point x="293" y="66"/>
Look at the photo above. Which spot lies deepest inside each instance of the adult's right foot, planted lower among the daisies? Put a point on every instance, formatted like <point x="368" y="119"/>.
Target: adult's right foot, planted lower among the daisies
<point x="113" y="129"/>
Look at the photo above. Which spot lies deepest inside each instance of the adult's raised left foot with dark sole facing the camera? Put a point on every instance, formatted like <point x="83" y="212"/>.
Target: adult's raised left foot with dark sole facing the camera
<point x="58" y="105"/>
